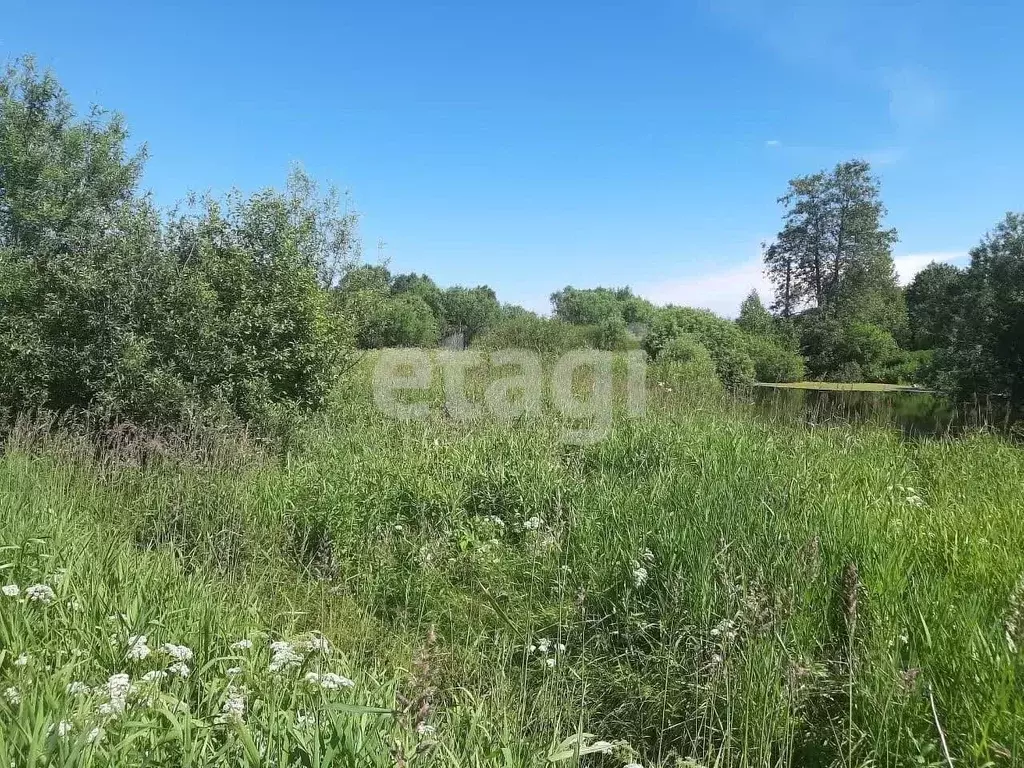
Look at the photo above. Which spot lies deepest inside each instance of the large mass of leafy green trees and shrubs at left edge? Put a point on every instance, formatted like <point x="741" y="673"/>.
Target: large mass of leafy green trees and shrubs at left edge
<point x="107" y="309"/>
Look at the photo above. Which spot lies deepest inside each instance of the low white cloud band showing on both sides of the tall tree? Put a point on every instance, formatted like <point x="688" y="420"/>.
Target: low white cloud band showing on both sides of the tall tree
<point x="722" y="291"/>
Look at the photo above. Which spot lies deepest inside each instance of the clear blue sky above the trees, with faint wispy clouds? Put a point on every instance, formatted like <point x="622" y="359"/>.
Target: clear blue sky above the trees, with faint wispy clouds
<point x="534" y="145"/>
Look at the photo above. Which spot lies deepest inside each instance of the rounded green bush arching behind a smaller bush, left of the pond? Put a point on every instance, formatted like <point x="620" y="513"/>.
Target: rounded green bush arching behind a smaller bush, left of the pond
<point x="726" y="343"/>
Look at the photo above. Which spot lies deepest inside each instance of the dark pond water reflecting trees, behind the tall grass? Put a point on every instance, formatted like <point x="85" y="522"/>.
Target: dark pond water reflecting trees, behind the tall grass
<point x="915" y="413"/>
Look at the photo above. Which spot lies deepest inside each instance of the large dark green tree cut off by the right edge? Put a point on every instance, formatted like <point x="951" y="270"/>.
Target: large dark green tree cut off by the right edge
<point x="986" y="355"/>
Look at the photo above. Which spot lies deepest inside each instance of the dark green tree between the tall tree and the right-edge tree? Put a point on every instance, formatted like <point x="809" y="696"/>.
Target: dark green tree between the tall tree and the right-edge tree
<point x="934" y="301"/>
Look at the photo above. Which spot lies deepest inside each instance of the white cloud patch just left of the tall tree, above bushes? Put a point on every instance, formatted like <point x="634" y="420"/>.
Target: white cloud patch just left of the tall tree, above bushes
<point x="721" y="291"/>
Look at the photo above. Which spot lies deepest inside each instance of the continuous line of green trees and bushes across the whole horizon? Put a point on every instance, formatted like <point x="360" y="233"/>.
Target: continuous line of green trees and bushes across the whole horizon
<point x="251" y="307"/>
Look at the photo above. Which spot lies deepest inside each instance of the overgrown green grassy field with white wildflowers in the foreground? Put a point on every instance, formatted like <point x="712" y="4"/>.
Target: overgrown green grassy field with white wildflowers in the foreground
<point x="699" y="589"/>
